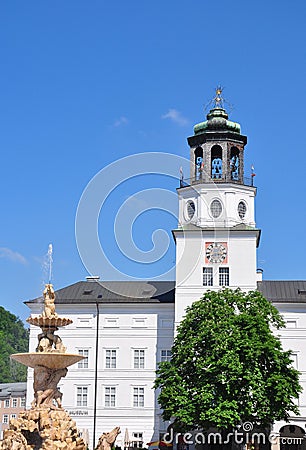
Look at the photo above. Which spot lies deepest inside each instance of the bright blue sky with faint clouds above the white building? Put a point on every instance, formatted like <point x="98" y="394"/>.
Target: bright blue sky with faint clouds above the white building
<point x="84" y="84"/>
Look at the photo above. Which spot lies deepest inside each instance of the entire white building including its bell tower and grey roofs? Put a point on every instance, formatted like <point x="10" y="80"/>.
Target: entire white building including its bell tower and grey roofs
<point x="125" y="329"/>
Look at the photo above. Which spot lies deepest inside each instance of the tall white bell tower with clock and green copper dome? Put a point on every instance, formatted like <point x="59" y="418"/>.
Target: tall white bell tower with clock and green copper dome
<point x="216" y="237"/>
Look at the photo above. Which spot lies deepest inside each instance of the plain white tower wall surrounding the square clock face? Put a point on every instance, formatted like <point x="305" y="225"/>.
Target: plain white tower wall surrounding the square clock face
<point x="190" y="245"/>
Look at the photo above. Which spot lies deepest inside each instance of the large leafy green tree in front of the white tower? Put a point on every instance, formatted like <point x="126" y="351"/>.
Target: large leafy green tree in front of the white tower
<point x="227" y="365"/>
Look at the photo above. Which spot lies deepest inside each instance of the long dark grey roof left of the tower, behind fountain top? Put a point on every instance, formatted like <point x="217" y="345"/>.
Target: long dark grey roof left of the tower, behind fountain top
<point x="115" y="292"/>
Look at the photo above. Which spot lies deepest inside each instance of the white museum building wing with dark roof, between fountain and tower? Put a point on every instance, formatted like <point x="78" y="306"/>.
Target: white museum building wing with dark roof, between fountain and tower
<point x="124" y="330"/>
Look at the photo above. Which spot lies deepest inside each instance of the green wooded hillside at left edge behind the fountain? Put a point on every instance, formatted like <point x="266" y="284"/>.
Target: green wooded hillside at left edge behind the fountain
<point x="14" y="338"/>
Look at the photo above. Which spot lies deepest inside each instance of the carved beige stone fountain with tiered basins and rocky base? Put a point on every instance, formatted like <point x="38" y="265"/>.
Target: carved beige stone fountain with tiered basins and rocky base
<point x="47" y="426"/>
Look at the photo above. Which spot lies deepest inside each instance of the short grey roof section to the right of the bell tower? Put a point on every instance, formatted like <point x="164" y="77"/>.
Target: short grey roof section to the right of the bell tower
<point x="280" y="291"/>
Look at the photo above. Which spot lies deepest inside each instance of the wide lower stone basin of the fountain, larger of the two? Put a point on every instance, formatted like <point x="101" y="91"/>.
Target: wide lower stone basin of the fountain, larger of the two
<point x="51" y="360"/>
